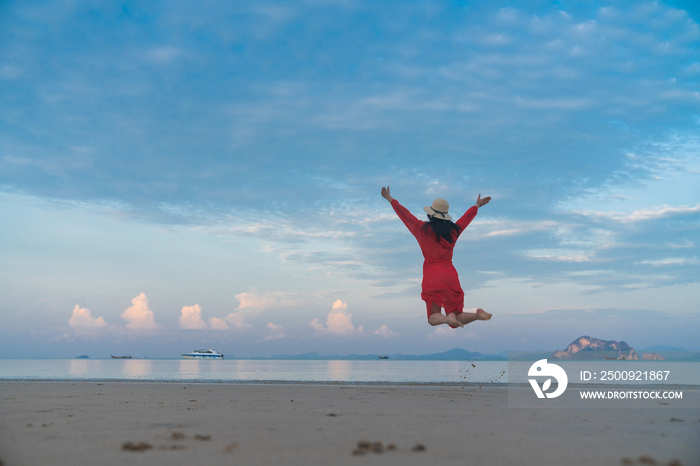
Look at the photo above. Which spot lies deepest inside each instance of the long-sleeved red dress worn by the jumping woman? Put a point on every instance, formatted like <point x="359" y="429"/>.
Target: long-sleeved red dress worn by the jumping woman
<point x="440" y="279"/>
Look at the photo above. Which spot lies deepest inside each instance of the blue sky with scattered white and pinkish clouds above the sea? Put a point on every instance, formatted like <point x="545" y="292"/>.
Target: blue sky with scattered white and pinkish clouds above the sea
<point x="185" y="174"/>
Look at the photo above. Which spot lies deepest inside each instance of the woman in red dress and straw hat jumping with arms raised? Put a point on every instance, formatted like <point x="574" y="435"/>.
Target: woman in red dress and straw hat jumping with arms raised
<point x="437" y="237"/>
